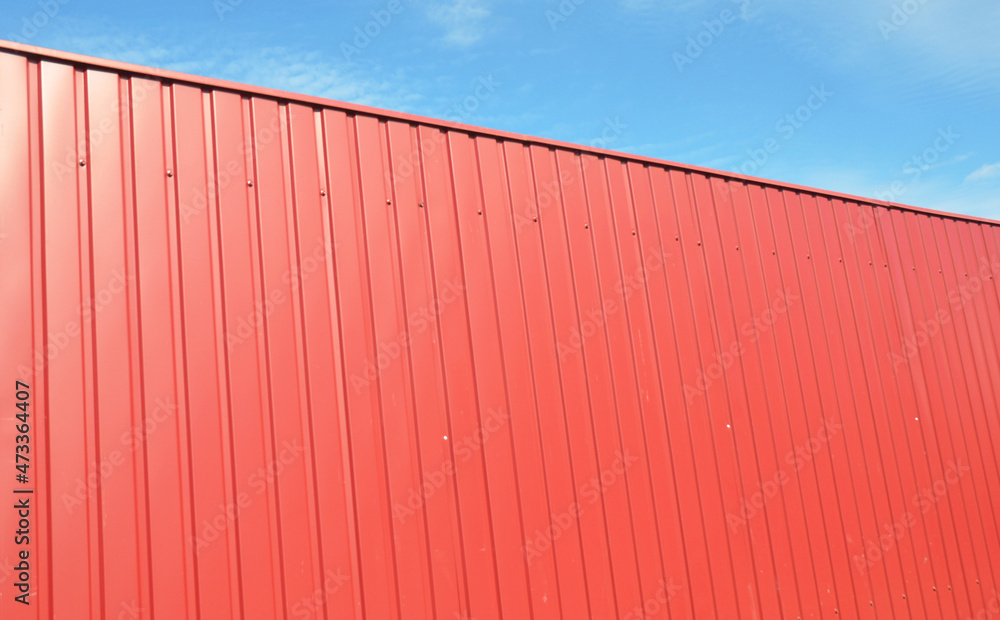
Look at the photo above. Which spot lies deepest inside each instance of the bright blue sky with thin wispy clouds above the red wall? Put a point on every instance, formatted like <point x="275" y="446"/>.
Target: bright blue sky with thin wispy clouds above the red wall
<point x="880" y="98"/>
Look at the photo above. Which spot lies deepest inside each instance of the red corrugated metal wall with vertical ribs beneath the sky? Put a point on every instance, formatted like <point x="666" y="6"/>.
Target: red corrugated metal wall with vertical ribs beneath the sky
<point x="290" y="358"/>
